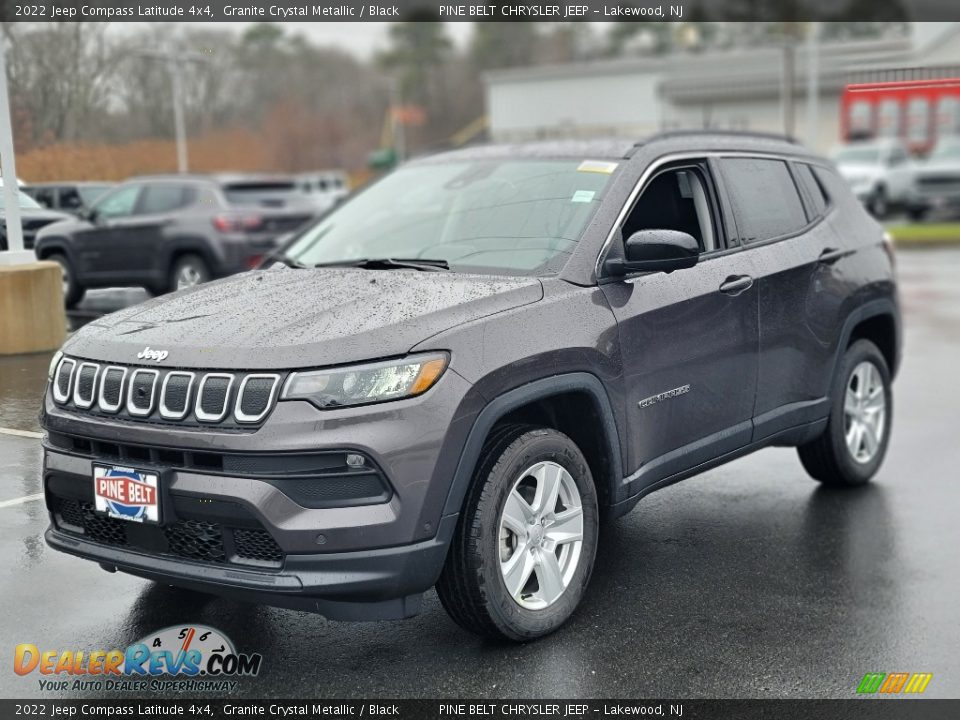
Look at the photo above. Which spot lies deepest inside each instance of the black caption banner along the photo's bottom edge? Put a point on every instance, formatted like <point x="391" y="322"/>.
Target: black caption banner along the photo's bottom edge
<point x="853" y="709"/>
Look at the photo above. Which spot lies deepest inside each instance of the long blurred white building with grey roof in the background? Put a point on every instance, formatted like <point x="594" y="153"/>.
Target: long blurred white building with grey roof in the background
<point x="735" y="89"/>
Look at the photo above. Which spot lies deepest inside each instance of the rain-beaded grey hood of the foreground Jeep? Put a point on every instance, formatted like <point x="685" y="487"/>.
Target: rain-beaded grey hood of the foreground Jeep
<point x="287" y="319"/>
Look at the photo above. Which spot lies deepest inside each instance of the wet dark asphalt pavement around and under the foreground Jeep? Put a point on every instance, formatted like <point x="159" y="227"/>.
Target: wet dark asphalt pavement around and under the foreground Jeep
<point x="747" y="581"/>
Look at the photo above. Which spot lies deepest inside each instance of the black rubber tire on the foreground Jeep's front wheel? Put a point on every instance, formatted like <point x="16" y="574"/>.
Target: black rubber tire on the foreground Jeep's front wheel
<point x="471" y="587"/>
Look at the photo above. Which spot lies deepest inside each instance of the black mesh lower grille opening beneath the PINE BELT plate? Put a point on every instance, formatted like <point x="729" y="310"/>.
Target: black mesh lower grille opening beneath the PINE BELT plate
<point x="198" y="540"/>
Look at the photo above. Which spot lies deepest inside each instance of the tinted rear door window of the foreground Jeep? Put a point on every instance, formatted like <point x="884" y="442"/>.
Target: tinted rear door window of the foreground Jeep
<point x="764" y="198"/>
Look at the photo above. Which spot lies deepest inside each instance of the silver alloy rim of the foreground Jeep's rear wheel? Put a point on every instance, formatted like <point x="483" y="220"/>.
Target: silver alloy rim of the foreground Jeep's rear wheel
<point x="864" y="412"/>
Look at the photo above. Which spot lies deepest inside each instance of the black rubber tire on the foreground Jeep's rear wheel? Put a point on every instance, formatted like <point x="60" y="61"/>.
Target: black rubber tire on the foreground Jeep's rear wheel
<point x="828" y="458"/>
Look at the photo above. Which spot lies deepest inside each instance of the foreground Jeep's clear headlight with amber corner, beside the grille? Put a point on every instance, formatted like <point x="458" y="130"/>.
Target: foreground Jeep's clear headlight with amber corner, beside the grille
<point x="363" y="384"/>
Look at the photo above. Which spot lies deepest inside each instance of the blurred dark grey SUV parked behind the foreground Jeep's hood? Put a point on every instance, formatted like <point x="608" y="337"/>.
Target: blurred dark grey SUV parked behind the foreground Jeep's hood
<point x="165" y="233"/>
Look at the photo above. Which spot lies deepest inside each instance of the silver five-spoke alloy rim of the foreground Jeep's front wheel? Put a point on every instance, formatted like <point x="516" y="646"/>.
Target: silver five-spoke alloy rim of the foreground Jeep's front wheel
<point x="541" y="535"/>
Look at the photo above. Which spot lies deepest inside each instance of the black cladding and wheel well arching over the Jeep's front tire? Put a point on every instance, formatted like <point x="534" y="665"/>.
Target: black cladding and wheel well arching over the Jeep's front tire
<point x="555" y="402"/>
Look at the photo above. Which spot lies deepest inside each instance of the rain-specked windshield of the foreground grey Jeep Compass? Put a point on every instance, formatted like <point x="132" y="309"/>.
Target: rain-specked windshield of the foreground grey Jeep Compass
<point x="509" y="216"/>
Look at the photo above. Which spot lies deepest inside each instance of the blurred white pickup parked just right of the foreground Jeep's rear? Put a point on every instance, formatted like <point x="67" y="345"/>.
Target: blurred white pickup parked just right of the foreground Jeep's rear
<point x="879" y="172"/>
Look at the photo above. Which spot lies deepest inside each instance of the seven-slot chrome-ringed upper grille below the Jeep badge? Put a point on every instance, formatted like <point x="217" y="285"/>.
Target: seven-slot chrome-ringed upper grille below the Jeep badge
<point x="236" y="399"/>
